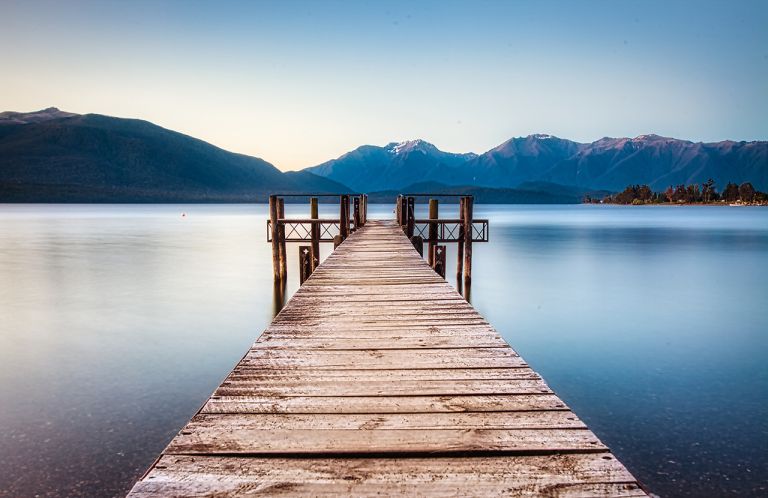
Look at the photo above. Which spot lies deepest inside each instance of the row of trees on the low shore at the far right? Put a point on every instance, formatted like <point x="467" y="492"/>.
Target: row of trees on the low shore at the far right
<point x="705" y="193"/>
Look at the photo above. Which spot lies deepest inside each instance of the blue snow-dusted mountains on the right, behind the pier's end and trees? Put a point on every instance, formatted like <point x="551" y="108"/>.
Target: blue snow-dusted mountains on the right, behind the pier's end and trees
<point x="606" y="164"/>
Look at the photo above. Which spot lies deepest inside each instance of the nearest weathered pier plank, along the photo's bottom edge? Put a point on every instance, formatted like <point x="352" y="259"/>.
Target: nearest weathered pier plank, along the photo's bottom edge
<point x="553" y="476"/>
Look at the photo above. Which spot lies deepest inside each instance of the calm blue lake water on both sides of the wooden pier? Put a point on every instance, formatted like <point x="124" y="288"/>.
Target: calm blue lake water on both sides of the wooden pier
<point x="117" y="322"/>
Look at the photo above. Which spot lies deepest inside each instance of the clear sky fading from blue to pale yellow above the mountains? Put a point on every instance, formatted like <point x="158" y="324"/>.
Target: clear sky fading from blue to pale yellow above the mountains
<point x="300" y="82"/>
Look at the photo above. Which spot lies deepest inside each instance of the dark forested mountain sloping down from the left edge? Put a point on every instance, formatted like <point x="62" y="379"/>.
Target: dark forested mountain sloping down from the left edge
<point x="53" y="156"/>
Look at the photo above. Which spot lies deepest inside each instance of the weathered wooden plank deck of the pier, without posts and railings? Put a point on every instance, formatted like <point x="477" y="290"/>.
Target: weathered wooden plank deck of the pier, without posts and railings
<point x="378" y="378"/>
